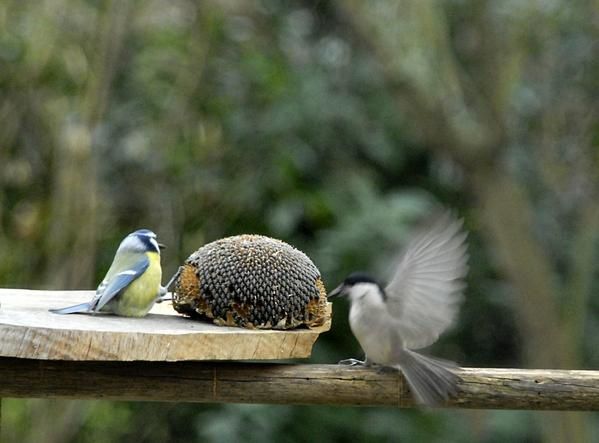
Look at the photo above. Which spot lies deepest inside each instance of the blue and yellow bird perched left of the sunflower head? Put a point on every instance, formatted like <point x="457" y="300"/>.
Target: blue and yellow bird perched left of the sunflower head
<point x="132" y="284"/>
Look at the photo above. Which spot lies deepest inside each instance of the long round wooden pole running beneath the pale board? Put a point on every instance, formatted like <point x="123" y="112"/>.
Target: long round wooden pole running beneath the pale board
<point x="289" y="384"/>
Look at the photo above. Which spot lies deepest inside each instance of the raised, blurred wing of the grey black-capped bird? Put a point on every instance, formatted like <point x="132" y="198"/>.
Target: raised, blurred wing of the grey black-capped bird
<point x="424" y="295"/>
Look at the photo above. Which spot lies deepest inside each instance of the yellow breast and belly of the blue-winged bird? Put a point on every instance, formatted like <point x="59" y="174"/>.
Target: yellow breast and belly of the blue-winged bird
<point x="139" y="297"/>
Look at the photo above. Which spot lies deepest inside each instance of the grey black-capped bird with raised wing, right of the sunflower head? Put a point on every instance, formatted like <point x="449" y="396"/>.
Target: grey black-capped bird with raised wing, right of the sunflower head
<point x="419" y="303"/>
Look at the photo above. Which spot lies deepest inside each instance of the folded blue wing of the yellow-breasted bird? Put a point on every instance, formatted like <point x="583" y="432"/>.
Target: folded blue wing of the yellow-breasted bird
<point x="116" y="281"/>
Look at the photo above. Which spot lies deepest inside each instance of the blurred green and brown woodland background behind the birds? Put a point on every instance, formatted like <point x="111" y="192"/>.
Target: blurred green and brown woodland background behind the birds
<point x="333" y="125"/>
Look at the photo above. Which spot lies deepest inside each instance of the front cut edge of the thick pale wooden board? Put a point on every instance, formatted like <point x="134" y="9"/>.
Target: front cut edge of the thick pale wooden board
<point x="77" y="345"/>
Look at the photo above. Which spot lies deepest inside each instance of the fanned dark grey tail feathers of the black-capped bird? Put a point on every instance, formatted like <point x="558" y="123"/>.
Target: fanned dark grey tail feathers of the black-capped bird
<point x="431" y="380"/>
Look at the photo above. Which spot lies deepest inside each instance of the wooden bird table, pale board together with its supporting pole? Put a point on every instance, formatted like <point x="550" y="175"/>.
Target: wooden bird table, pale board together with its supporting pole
<point x="166" y="357"/>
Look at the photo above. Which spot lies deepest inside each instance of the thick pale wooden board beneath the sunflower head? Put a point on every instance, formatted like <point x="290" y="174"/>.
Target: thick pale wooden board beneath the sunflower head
<point x="28" y="330"/>
